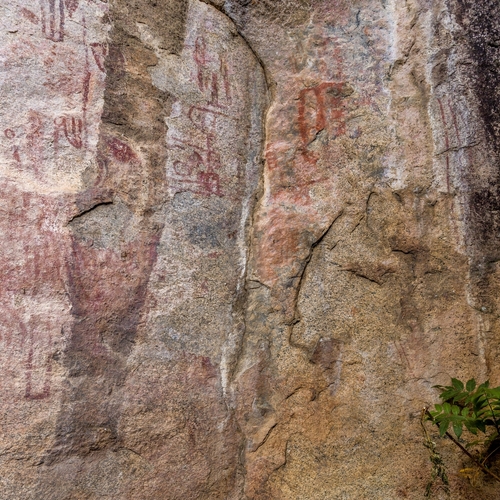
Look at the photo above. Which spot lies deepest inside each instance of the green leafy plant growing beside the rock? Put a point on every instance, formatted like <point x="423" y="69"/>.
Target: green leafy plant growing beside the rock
<point x="466" y="411"/>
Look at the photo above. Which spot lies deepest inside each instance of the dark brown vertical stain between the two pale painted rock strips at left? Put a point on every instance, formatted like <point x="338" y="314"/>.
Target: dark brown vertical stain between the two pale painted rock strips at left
<point x="115" y="235"/>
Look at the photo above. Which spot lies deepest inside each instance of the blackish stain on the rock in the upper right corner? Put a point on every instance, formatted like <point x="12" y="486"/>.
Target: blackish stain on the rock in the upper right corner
<point x="480" y="21"/>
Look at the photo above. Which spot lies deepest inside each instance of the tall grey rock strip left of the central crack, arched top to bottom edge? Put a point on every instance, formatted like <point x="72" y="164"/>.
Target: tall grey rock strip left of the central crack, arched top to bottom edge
<point x="193" y="307"/>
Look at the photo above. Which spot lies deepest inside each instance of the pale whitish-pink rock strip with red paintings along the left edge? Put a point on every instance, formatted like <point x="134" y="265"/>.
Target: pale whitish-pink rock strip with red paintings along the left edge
<point x="51" y="93"/>
